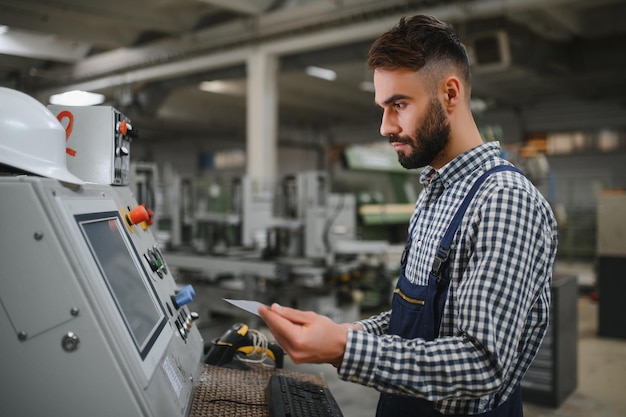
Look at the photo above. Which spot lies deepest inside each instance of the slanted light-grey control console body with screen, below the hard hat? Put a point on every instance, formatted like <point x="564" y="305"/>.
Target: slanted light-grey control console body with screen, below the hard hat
<point x="89" y="321"/>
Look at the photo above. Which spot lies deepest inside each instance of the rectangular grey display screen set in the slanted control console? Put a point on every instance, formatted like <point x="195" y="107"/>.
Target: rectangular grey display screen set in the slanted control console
<point x="125" y="277"/>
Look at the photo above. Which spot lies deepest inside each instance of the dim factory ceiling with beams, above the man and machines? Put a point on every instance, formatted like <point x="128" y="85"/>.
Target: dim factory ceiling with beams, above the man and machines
<point x="532" y="58"/>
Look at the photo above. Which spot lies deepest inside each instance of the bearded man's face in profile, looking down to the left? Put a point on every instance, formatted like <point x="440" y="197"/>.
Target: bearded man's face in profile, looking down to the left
<point x="413" y="119"/>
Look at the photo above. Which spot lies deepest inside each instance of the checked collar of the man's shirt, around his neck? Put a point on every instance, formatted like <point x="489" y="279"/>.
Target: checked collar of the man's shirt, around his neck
<point x="461" y="166"/>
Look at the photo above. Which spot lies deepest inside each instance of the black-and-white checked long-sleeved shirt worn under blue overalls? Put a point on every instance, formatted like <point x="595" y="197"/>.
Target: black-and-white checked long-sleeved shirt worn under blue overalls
<point x="499" y="298"/>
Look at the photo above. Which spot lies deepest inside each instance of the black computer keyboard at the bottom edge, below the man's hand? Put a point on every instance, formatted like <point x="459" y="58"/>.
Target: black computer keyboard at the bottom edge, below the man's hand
<point x="291" y="397"/>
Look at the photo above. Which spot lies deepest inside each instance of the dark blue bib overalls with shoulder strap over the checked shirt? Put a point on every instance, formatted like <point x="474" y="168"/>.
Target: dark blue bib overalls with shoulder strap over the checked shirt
<point x="416" y="313"/>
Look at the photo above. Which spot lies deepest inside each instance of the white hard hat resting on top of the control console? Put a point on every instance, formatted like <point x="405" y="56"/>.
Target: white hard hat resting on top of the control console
<point x="31" y="138"/>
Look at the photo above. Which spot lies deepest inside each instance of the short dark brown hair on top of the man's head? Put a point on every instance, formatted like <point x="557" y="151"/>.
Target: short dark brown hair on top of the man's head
<point x="419" y="41"/>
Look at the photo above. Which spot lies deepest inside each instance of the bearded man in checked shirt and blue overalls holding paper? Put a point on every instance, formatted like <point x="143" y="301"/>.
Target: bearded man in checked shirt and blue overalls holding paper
<point x="468" y="355"/>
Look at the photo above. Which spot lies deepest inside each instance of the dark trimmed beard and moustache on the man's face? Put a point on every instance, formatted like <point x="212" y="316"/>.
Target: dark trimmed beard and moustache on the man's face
<point x="431" y="137"/>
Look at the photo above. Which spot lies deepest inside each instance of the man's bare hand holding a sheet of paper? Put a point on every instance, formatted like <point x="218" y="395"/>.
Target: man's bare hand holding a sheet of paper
<point x="307" y="337"/>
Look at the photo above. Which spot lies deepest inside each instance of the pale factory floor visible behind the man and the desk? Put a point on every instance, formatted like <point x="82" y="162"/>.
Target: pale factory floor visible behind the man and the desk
<point x="601" y="389"/>
